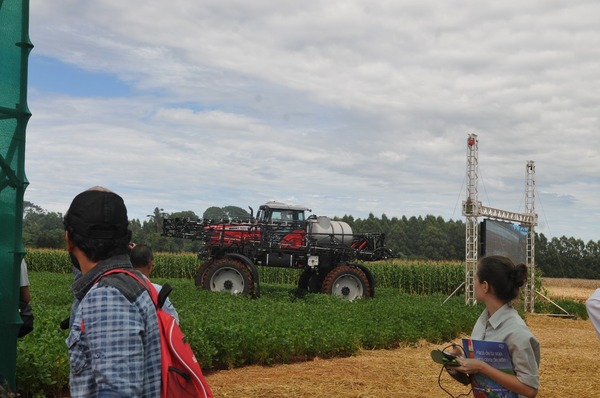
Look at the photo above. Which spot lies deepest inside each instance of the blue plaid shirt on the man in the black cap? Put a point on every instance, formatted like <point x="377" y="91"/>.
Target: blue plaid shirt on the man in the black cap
<point x="114" y="341"/>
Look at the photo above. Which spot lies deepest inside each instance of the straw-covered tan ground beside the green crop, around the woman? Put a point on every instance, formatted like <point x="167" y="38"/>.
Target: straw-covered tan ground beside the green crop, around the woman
<point x="569" y="368"/>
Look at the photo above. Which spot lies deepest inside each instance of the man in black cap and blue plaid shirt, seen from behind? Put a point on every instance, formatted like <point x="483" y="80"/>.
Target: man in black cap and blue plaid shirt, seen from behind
<point x="114" y="341"/>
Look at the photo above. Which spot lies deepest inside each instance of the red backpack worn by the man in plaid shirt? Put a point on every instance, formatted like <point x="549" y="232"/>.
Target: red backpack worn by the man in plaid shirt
<point x="181" y="373"/>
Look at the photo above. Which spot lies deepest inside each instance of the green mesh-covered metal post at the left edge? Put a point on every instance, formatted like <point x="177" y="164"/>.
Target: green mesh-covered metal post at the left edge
<point x="15" y="47"/>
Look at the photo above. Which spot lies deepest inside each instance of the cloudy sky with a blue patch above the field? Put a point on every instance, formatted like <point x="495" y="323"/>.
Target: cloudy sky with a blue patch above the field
<point x="346" y="107"/>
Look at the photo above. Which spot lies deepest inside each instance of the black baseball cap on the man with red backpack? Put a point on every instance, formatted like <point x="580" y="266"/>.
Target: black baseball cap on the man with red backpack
<point x="97" y="213"/>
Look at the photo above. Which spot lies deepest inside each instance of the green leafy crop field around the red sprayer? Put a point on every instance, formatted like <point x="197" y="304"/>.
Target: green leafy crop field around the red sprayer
<point x="281" y="326"/>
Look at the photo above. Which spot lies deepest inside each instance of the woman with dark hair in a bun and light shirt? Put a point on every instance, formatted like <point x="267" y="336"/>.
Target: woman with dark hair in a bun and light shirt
<point x="497" y="283"/>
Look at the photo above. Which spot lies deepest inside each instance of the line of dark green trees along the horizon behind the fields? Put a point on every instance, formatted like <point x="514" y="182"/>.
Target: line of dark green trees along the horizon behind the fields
<point x="427" y="238"/>
